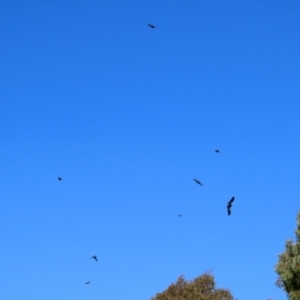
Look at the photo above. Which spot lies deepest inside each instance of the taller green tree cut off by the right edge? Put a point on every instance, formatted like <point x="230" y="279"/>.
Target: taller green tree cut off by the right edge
<point x="288" y="266"/>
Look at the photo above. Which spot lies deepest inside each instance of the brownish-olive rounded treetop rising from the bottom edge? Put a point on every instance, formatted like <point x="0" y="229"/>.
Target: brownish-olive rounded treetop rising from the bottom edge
<point x="201" y="288"/>
